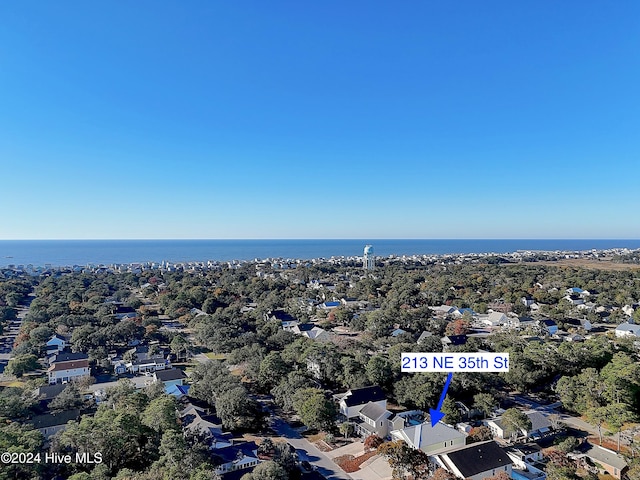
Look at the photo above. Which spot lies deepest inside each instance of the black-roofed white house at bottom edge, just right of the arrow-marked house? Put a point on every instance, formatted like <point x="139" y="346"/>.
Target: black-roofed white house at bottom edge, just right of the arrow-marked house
<point x="476" y="461"/>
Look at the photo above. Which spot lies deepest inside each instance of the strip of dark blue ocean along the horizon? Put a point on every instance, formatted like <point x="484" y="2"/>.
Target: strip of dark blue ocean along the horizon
<point x="83" y="252"/>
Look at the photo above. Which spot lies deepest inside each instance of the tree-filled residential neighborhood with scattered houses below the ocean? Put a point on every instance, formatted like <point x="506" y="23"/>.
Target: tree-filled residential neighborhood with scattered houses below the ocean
<point x="252" y="367"/>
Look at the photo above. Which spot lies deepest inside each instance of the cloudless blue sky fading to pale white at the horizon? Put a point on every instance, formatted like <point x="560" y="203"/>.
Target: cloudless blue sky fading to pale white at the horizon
<point x="320" y="119"/>
